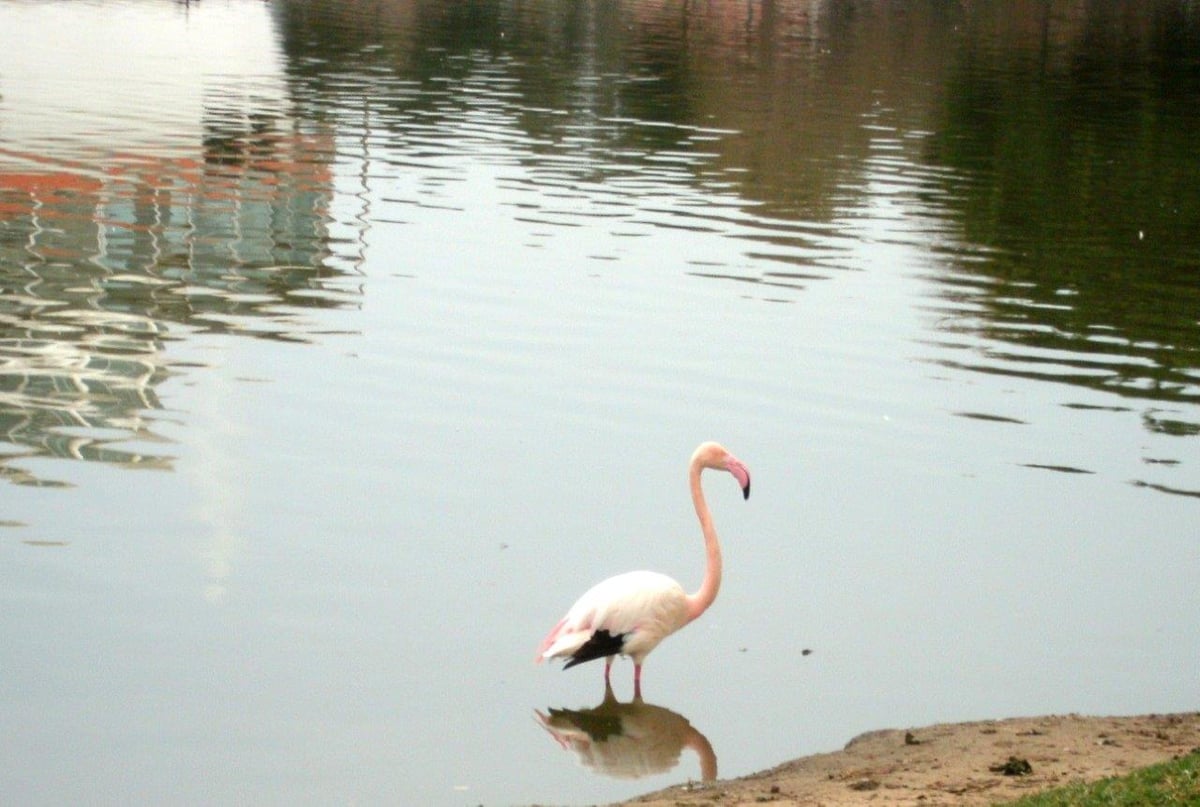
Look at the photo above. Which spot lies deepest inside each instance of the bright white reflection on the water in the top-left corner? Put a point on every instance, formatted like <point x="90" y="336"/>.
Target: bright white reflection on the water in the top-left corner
<point x="75" y="101"/>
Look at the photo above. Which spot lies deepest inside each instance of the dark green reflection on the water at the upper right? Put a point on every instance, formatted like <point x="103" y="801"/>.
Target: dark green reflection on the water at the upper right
<point x="1072" y="139"/>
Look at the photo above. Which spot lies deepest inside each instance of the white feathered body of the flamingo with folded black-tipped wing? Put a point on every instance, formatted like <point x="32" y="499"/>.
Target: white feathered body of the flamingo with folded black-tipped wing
<point x="629" y="614"/>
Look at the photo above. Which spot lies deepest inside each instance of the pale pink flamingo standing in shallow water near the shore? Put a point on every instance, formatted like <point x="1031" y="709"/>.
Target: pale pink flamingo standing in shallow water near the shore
<point x="632" y="613"/>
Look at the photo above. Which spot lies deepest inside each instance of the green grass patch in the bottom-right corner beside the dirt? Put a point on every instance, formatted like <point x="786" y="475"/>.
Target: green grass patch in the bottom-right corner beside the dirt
<point x="1169" y="785"/>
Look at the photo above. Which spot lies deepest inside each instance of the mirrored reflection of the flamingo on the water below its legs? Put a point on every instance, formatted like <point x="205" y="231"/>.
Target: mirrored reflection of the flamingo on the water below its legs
<point x="628" y="742"/>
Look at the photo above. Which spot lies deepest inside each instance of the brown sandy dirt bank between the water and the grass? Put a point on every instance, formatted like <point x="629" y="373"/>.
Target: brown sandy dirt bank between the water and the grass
<point x="979" y="763"/>
